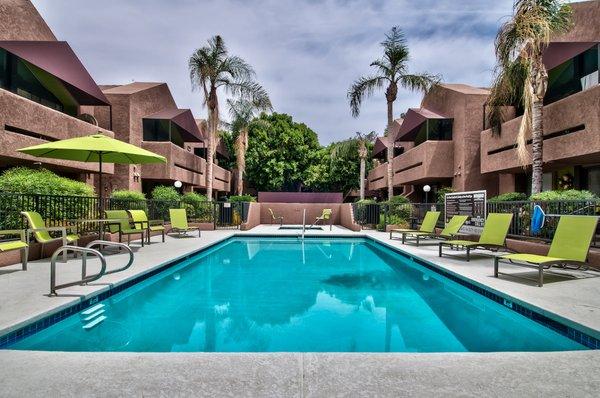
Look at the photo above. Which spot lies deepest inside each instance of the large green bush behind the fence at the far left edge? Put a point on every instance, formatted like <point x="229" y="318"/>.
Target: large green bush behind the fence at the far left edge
<point x="31" y="182"/>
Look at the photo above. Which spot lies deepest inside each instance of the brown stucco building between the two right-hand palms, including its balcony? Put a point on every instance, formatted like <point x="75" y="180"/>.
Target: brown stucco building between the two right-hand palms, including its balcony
<point x="440" y="163"/>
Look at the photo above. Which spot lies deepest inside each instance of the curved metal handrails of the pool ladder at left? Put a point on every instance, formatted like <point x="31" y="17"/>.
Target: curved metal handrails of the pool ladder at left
<point x="88" y="249"/>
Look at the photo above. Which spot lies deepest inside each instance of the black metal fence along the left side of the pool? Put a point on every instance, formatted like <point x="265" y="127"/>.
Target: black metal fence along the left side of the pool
<point x="59" y="210"/>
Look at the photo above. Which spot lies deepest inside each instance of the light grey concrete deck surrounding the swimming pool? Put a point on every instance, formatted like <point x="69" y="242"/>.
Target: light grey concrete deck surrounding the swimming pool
<point x="23" y="297"/>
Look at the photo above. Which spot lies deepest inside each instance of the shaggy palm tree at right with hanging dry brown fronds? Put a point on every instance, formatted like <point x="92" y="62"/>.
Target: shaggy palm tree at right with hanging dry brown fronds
<point x="521" y="76"/>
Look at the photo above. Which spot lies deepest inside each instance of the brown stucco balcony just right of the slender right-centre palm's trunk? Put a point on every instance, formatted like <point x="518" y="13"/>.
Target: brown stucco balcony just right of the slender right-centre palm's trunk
<point x="429" y="161"/>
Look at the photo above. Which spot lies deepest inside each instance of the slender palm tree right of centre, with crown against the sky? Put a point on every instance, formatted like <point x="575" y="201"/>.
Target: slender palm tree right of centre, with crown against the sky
<point x="391" y="71"/>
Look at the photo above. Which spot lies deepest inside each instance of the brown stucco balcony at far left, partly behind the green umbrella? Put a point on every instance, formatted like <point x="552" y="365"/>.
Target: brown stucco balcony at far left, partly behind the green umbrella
<point x="24" y="123"/>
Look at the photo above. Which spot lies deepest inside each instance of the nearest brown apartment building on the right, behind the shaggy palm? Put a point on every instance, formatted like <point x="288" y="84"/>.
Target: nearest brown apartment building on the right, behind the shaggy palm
<point x="571" y="150"/>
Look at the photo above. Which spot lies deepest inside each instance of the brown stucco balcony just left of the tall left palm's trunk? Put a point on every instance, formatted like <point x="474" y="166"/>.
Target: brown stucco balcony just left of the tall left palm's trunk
<point x="181" y="165"/>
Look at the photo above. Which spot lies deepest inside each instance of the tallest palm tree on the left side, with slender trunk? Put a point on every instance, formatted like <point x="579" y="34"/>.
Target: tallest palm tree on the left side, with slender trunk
<point x="212" y="68"/>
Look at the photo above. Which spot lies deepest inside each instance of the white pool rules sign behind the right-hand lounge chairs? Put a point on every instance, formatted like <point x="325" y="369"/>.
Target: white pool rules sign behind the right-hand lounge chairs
<point x="472" y="204"/>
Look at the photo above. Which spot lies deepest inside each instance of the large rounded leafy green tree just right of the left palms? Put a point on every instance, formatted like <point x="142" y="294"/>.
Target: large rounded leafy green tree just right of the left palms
<point x="280" y="151"/>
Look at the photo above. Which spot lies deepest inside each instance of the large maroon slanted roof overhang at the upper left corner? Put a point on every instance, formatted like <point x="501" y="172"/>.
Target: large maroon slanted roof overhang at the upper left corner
<point x="58" y="59"/>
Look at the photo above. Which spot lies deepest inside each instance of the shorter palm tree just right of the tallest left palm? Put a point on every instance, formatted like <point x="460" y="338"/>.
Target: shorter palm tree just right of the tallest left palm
<point x="243" y="113"/>
